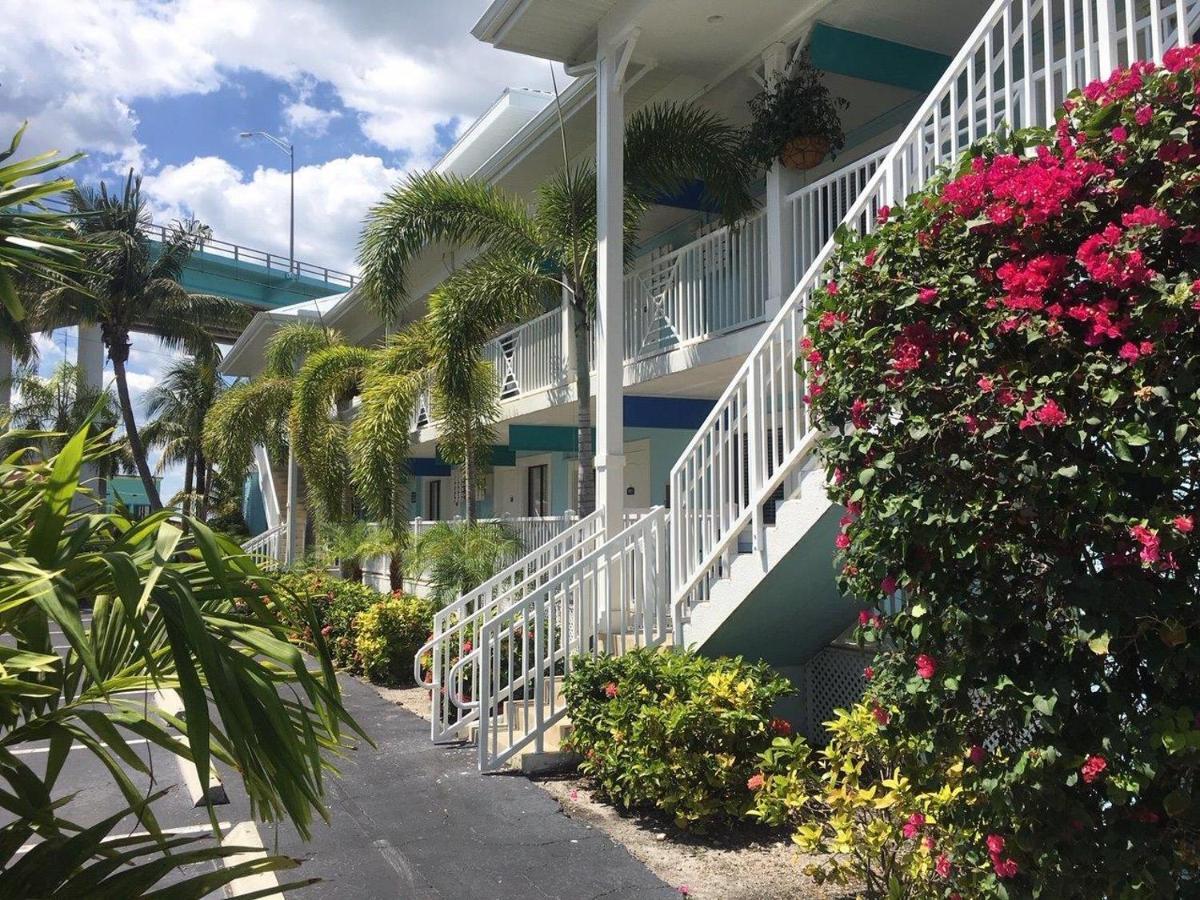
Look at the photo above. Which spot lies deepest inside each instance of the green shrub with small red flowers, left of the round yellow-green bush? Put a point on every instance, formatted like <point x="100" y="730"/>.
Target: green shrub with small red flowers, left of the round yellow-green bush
<point x="335" y="604"/>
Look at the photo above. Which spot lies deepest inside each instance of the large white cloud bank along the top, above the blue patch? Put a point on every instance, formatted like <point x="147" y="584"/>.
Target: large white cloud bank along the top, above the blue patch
<point x="401" y="67"/>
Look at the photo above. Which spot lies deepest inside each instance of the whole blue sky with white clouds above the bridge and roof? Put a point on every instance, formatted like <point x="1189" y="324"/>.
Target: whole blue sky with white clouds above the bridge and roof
<point x="368" y="91"/>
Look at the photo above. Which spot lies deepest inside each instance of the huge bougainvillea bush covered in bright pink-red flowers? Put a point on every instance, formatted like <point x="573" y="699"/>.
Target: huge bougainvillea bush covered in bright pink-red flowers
<point x="1009" y="371"/>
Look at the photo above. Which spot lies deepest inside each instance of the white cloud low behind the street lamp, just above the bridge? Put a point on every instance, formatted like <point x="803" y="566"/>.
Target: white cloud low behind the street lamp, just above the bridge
<point x="253" y="209"/>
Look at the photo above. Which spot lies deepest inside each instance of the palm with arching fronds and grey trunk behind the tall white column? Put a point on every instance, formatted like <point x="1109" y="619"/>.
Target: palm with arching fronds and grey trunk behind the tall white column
<point x="526" y="257"/>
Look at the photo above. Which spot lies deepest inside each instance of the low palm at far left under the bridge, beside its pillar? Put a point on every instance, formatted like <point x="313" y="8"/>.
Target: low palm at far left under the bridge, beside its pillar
<point x="63" y="405"/>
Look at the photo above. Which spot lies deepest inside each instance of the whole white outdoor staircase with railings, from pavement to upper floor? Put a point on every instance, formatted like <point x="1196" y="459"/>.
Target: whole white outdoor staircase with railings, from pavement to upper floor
<point x="748" y="491"/>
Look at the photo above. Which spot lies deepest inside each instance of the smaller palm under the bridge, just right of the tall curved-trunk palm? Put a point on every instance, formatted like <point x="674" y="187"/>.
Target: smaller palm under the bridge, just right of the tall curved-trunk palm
<point x="178" y="407"/>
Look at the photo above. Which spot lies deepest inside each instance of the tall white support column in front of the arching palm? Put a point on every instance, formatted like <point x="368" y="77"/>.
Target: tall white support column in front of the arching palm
<point x="611" y="61"/>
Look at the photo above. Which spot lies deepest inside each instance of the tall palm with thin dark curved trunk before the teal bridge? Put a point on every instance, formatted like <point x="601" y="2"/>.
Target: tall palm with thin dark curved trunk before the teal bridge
<point x="134" y="286"/>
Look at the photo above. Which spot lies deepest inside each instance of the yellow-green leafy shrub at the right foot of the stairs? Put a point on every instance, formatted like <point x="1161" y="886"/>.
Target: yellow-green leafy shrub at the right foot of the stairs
<point x="674" y="731"/>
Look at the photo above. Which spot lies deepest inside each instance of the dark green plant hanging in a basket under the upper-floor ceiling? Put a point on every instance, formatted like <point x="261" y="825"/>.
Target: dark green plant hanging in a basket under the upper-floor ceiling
<point x="796" y="121"/>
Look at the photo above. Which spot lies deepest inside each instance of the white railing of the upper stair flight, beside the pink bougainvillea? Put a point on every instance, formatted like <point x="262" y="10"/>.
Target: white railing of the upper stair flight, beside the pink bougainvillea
<point x="759" y="435"/>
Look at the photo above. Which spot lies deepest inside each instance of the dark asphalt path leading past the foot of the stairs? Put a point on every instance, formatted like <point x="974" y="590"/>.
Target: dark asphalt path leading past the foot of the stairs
<point x="415" y="821"/>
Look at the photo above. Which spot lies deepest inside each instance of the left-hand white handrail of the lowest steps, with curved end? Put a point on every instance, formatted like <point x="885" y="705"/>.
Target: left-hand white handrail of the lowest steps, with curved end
<point x="457" y="627"/>
